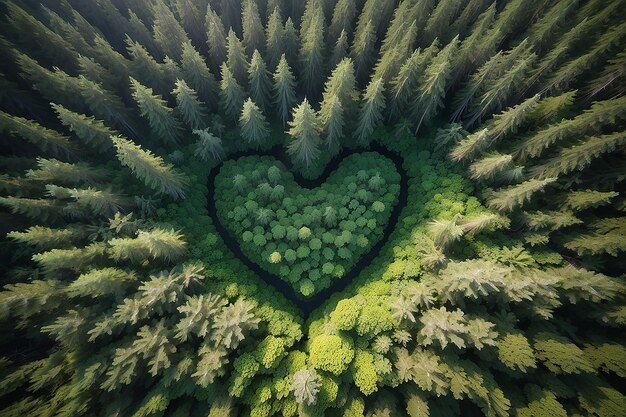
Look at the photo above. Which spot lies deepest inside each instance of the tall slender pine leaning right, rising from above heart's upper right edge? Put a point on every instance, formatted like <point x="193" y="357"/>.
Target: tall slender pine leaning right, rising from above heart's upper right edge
<point x="432" y="88"/>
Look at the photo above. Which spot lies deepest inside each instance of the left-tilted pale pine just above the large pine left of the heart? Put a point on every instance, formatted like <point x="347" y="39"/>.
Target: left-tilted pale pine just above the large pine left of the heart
<point x="154" y="109"/>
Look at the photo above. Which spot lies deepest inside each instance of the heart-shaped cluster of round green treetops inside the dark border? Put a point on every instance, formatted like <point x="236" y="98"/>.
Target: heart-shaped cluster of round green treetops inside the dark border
<point x="307" y="237"/>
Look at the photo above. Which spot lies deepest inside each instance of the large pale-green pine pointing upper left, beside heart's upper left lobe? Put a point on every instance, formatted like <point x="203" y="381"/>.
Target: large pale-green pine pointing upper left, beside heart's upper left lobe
<point x="149" y="168"/>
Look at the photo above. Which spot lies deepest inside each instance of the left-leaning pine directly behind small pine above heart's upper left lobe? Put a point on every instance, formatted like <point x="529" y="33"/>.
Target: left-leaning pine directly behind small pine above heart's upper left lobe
<point x="197" y="74"/>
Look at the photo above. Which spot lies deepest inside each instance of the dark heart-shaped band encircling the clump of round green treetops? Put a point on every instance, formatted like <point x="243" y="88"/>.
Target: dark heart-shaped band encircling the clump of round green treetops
<point x="310" y="304"/>
